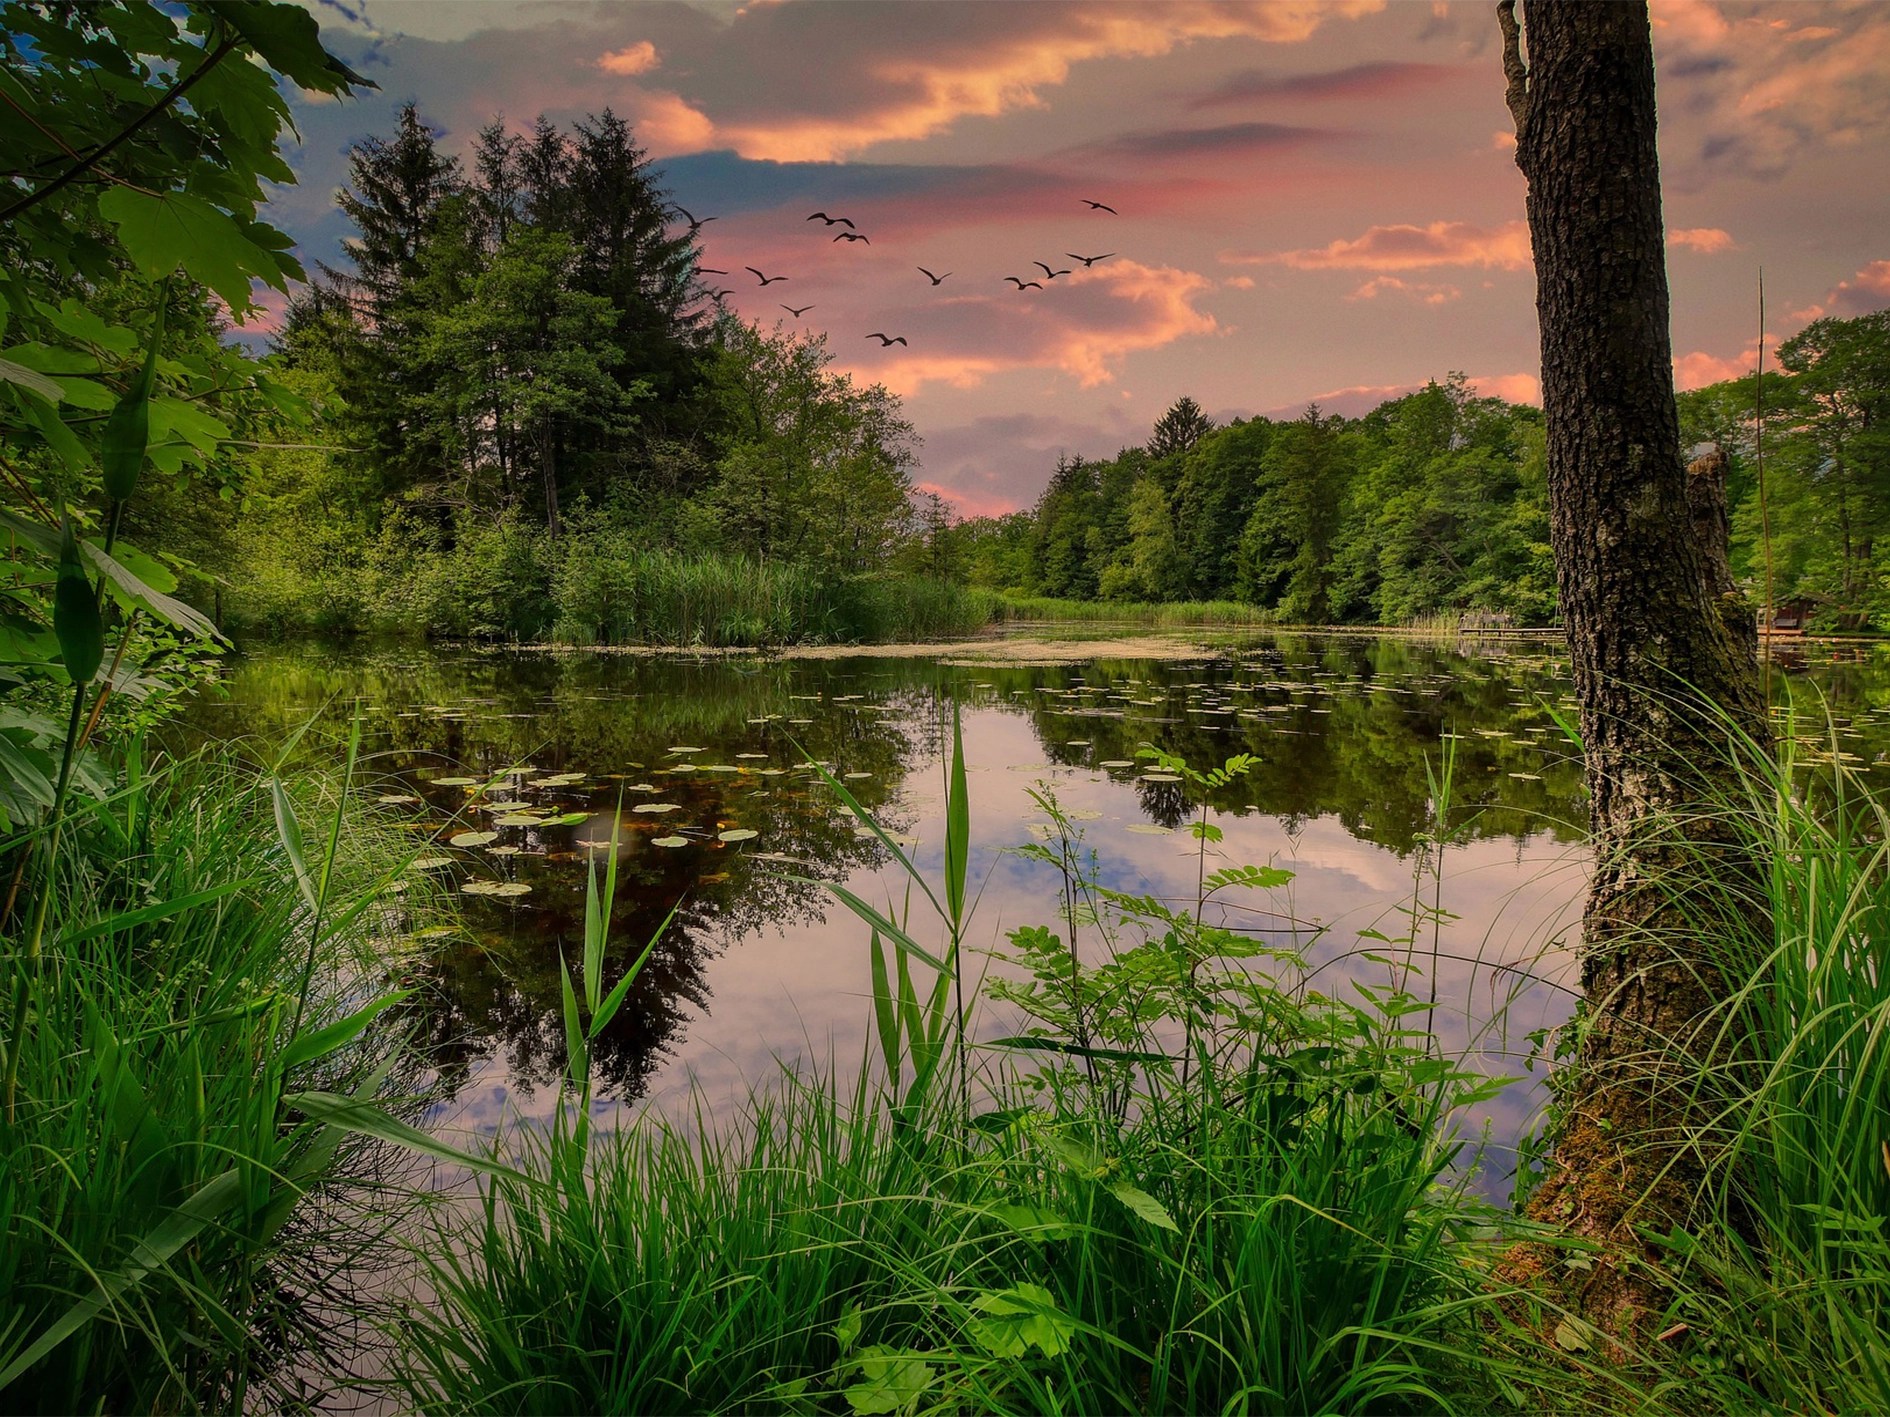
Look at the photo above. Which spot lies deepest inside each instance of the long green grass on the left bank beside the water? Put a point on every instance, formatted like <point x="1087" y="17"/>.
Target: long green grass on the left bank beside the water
<point x="160" y="1242"/>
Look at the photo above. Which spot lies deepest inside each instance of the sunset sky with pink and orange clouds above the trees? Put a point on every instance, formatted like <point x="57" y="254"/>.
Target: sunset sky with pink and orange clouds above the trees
<point x="1314" y="199"/>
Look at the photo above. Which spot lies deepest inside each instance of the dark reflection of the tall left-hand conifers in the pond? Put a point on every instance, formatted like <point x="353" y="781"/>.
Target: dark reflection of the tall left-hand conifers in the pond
<point x="430" y="715"/>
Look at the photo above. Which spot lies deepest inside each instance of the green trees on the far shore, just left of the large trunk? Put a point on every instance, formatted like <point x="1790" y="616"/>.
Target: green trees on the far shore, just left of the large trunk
<point x="1430" y="505"/>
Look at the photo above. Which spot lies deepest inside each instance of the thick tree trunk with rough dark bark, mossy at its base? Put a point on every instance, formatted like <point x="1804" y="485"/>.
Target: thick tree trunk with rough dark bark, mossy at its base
<point x="1658" y="670"/>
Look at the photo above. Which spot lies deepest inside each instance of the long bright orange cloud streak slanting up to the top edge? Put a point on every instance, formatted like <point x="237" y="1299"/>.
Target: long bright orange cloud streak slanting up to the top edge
<point x="929" y="94"/>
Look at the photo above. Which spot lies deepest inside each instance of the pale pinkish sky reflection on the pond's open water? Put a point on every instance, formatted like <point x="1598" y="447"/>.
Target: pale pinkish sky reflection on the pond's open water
<point x="799" y="993"/>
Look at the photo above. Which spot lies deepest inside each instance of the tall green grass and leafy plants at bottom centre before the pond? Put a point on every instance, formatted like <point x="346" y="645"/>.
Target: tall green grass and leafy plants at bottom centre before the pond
<point x="1184" y="1187"/>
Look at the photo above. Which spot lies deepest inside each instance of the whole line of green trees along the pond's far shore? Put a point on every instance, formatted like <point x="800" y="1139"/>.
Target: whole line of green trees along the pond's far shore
<point x="540" y="405"/>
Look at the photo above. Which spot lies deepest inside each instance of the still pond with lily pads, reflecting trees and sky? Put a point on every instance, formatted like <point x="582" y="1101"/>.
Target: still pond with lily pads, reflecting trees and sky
<point x="702" y="768"/>
